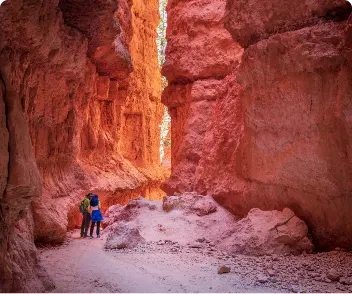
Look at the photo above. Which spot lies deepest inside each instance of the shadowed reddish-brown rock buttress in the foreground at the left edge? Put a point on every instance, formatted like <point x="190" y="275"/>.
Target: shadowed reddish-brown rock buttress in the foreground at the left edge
<point x="20" y="184"/>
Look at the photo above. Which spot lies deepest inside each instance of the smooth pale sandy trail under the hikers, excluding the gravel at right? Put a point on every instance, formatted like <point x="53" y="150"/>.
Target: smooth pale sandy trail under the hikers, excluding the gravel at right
<point x="83" y="266"/>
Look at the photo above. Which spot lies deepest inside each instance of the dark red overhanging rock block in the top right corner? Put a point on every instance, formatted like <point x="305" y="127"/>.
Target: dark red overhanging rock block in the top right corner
<point x="252" y="21"/>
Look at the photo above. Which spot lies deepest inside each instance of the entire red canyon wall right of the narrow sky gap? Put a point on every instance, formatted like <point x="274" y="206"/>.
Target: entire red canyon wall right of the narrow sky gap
<point x="278" y="131"/>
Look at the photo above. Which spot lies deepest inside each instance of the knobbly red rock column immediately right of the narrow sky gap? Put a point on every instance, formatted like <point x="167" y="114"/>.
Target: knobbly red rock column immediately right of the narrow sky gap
<point x="200" y="55"/>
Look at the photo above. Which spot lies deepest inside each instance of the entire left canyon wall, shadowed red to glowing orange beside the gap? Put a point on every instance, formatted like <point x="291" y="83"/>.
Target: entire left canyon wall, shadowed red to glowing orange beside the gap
<point x="80" y="110"/>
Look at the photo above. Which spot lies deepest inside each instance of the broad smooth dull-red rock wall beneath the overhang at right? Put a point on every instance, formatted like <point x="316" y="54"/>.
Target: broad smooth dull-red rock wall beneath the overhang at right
<point x="297" y="132"/>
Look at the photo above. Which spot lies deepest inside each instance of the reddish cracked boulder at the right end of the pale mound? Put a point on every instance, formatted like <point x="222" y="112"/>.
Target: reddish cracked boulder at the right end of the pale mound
<point x="268" y="232"/>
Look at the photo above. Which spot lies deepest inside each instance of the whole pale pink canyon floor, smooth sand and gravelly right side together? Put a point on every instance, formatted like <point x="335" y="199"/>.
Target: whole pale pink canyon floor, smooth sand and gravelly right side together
<point x="83" y="266"/>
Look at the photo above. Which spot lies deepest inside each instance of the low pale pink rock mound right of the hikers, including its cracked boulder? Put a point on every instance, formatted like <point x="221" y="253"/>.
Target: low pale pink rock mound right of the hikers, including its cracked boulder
<point x="203" y="222"/>
